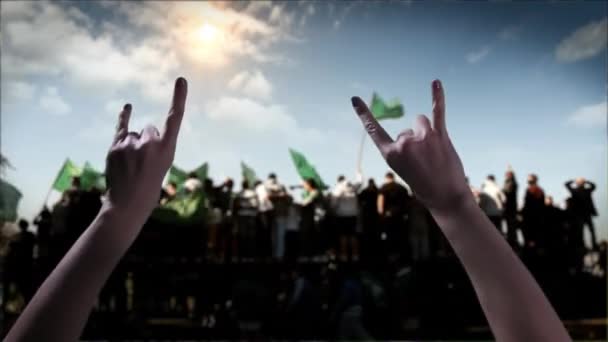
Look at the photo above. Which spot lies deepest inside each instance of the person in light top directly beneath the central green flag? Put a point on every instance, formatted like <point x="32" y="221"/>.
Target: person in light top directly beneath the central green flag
<point x="311" y="198"/>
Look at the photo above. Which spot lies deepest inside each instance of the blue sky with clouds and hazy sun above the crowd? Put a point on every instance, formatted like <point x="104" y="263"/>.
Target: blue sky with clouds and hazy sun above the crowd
<point x="525" y="83"/>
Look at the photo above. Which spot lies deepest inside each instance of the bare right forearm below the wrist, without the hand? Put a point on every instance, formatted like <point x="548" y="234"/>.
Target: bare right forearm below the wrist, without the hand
<point x="514" y="304"/>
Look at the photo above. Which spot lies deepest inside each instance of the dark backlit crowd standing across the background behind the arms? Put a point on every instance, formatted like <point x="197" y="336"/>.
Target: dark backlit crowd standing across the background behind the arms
<point x="334" y="263"/>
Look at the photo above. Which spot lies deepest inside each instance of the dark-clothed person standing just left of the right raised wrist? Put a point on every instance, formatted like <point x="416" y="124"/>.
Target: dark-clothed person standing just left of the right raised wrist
<point x="392" y="201"/>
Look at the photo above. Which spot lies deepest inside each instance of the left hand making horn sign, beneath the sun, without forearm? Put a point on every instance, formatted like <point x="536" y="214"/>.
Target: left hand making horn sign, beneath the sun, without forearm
<point x="138" y="162"/>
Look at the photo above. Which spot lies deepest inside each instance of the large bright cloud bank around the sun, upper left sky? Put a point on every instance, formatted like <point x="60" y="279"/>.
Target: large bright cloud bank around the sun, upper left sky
<point x="56" y="39"/>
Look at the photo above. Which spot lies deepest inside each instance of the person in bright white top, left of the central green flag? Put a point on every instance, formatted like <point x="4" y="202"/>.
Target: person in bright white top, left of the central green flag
<point x="266" y="220"/>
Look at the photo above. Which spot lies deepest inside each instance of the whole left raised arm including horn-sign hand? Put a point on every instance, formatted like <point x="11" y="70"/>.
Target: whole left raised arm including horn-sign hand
<point x="136" y="166"/>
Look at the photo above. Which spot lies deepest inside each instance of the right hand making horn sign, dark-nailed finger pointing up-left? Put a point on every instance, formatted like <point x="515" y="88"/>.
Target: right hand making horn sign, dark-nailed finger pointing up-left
<point x="424" y="157"/>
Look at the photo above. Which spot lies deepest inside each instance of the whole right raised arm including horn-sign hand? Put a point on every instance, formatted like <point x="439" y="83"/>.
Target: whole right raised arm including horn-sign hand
<point x="514" y="304"/>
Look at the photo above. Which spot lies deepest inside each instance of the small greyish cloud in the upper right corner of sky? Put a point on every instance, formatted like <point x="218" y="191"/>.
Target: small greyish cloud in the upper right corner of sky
<point x="585" y="42"/>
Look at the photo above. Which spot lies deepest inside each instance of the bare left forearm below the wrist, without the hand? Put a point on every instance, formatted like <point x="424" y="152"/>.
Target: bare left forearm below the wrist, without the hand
<point x="60" y="308"/>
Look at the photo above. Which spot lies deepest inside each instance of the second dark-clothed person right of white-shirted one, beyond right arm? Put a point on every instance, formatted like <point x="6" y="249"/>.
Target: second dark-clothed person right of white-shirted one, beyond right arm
<point x="532" y="212"/>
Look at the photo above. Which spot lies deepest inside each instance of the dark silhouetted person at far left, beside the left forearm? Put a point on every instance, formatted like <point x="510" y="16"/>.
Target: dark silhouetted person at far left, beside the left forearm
<point x="20" y="260"/>
